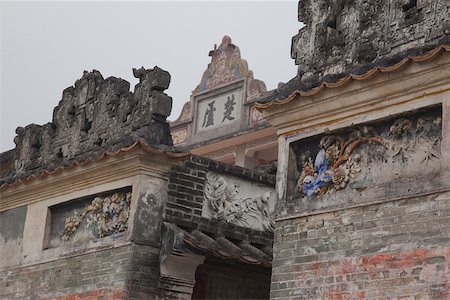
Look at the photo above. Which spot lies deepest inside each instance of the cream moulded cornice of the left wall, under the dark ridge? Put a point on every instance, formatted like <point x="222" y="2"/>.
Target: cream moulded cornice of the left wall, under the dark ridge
<point x="83" y="176"/>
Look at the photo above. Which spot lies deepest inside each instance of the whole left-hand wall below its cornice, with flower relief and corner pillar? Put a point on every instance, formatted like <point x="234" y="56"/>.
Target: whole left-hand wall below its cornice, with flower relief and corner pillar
<point x="85" y="247"/>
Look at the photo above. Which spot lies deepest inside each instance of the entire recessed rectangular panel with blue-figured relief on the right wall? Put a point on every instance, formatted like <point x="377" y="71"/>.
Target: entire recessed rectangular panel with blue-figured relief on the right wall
<point x="409" y="145"/>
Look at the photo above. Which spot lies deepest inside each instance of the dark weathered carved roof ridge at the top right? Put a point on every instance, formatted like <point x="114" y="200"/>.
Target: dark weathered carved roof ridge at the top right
<point x="341" y="35"/>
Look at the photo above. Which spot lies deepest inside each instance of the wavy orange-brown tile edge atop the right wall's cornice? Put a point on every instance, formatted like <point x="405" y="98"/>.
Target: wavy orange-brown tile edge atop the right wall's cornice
<point x="341" y="81"/>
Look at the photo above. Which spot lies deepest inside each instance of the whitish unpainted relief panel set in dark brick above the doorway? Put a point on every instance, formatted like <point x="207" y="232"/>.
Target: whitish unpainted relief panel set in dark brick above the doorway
<point x="234" y="201"/>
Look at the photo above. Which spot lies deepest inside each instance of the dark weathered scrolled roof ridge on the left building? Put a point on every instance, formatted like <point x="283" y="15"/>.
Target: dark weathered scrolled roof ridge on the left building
<point x="96" y="115"/>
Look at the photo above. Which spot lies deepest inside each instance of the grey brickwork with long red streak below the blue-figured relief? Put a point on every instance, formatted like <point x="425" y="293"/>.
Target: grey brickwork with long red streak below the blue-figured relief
<point x="393" y="250"/>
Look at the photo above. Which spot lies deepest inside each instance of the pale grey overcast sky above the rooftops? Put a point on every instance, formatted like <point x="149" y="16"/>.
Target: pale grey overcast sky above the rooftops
<point x="45" y="46"/>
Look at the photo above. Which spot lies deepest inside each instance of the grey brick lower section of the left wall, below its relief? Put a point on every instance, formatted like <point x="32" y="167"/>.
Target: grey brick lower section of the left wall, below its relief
<point x="126" y="272"/>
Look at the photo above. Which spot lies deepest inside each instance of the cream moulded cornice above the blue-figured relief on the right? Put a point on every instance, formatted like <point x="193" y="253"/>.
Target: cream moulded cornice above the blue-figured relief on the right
<point x="407" y="84"/>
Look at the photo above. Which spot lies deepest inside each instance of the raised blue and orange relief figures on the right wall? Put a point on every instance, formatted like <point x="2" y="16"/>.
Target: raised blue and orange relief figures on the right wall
<point x="341" y="158"/>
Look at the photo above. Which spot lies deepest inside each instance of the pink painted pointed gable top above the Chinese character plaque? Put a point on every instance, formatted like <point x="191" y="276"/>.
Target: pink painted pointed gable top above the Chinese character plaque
<point x="227" y="66"/>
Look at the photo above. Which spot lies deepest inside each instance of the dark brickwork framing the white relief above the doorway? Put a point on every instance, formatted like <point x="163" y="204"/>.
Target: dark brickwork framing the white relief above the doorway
<point x="186" y="196"/>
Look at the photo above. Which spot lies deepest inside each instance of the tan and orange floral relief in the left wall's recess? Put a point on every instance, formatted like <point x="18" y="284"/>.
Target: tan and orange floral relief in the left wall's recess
<point x="106" y="215"/>
